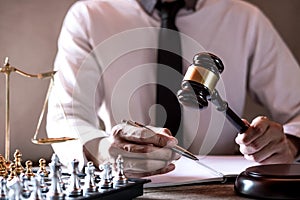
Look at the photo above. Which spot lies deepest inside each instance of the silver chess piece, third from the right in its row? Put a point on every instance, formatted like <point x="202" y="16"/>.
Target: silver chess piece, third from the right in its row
<point x="89" y="183"/>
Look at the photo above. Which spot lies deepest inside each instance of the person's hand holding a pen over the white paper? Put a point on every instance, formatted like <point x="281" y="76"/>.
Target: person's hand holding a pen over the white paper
<point x="145" y="152"/>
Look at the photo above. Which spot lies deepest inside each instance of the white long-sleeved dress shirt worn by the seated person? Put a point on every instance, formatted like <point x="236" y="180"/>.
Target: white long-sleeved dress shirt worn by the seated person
<point x="106" y="72"/>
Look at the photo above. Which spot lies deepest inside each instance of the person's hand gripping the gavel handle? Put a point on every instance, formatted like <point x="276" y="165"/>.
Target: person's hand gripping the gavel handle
<point x="265" y="142"/>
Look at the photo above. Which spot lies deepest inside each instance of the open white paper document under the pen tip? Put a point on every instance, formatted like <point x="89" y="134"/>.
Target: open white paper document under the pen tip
<point x="207" y="169"/>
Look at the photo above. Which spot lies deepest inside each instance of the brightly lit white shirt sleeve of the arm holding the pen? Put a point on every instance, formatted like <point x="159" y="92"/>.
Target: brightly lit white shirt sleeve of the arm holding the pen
<point x="74" y="99"/>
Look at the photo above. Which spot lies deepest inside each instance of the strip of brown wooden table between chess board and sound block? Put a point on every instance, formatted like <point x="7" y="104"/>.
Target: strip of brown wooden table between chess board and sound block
<point x="192" y="192"/>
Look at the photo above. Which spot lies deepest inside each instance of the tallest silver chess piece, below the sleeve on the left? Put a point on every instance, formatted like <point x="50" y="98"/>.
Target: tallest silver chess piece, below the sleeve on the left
<point x="55" y="190"/>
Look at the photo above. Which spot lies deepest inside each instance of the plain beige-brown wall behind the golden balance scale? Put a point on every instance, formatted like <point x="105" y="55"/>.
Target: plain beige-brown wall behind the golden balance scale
<point x="28" y="35"/>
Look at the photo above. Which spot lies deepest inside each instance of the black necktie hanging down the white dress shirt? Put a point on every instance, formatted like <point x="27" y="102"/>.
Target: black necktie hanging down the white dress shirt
<point x="169" y="54"/>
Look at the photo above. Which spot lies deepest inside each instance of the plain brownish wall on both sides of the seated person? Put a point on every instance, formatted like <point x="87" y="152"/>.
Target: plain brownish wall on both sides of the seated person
<point x="28" y="36"/>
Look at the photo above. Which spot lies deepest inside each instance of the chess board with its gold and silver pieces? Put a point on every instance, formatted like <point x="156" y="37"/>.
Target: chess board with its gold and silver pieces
<point x="52" y="182"/>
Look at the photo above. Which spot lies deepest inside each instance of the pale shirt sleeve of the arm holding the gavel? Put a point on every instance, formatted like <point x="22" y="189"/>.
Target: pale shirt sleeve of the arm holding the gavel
<point x="274" y="76"/>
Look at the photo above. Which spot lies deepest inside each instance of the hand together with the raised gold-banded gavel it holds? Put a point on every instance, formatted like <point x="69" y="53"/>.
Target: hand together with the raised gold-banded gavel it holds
<point x="262" y="140"/>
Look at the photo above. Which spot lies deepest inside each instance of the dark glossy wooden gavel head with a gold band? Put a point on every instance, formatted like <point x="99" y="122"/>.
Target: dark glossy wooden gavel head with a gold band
<point x="200" y="80"/>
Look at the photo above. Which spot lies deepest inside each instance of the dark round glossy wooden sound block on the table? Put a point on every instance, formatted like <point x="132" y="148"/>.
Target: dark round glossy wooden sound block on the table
<point x="276" y="181"/>
